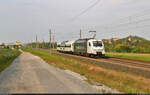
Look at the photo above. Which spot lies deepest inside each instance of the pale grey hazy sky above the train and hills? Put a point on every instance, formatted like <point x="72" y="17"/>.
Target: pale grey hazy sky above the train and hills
<point x="21" y="20"/>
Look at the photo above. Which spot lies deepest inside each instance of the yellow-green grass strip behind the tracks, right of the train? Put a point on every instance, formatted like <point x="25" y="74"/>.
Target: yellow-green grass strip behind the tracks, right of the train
<point x="134" y="56"/>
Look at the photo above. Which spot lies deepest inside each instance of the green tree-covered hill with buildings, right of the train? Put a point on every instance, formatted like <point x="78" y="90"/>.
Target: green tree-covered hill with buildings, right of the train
<point x="131" y="44"/>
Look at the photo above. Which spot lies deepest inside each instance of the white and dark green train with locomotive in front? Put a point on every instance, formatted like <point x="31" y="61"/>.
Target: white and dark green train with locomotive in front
<point x="85" y="47"/>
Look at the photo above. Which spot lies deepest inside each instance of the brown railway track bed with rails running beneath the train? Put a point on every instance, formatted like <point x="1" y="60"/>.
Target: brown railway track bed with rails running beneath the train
<point x="131" y="66"/>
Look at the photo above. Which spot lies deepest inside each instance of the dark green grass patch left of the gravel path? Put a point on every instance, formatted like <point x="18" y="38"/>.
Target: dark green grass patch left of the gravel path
<point x="6" y="57"/>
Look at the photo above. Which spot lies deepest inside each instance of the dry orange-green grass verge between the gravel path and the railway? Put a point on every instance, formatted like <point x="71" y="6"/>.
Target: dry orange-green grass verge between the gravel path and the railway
<point x="122" y="81"/>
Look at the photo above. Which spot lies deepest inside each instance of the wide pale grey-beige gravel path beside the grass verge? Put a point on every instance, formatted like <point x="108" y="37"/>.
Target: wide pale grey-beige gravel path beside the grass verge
<point x="30" y="74"/>
